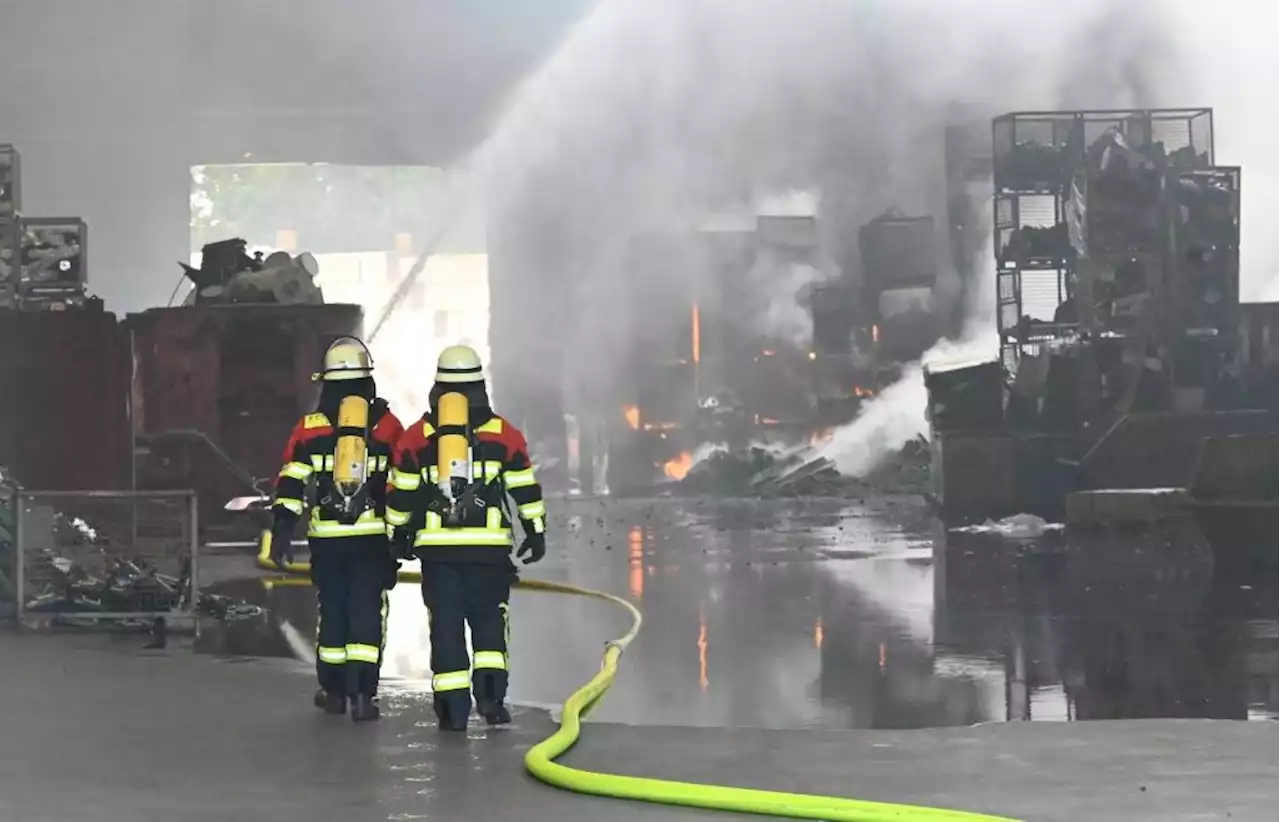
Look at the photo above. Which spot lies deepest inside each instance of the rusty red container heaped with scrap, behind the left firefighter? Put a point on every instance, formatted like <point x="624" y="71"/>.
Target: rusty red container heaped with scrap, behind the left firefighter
<point x="218" y="389"/>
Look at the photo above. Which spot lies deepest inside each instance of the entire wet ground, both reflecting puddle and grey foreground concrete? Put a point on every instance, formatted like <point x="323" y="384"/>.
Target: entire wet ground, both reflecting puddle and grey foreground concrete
<point x="784" y="615"/>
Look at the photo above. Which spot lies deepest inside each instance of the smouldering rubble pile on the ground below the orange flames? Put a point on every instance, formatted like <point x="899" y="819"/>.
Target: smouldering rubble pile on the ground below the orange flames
<point x="802" y="473"/>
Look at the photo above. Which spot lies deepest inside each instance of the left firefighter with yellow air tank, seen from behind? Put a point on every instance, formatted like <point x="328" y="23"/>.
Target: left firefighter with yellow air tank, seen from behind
<point x="346" y="447"/>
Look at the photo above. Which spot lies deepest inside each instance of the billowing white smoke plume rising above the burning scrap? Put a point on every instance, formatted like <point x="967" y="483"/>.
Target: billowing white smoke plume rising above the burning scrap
<point x="655" y="113"/>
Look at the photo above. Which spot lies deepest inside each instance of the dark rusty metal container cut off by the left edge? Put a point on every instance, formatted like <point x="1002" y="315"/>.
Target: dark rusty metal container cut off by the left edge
<point x="65" y="400"/>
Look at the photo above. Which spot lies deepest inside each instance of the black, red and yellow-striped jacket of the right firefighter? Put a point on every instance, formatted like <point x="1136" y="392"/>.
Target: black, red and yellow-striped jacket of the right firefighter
<point x="500" y="467"/>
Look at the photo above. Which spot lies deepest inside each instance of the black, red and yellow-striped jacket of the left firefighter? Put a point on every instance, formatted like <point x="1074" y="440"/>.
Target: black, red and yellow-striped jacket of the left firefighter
<point x="309" y="456"/>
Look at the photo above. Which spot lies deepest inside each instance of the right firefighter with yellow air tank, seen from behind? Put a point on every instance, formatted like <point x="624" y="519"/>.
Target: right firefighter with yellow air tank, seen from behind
<point x="447" y="505"/>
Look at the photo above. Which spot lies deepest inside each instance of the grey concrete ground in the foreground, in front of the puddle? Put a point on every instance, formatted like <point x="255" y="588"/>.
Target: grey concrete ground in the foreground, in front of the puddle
<point x="100" y="732"/>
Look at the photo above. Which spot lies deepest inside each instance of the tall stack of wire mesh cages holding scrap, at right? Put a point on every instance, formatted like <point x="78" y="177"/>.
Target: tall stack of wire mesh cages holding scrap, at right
<point x="1089" y="186"/>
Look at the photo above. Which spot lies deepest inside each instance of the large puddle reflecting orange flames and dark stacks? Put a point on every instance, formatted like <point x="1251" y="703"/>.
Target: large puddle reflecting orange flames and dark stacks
<point x="828" y="614"/>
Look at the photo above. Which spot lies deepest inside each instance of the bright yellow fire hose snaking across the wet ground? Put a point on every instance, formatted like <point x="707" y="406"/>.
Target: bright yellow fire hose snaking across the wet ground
<point x="541" y="760"/>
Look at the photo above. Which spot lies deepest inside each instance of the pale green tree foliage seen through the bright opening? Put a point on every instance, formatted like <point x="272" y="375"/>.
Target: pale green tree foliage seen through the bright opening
<point x="332" y="208"/>
